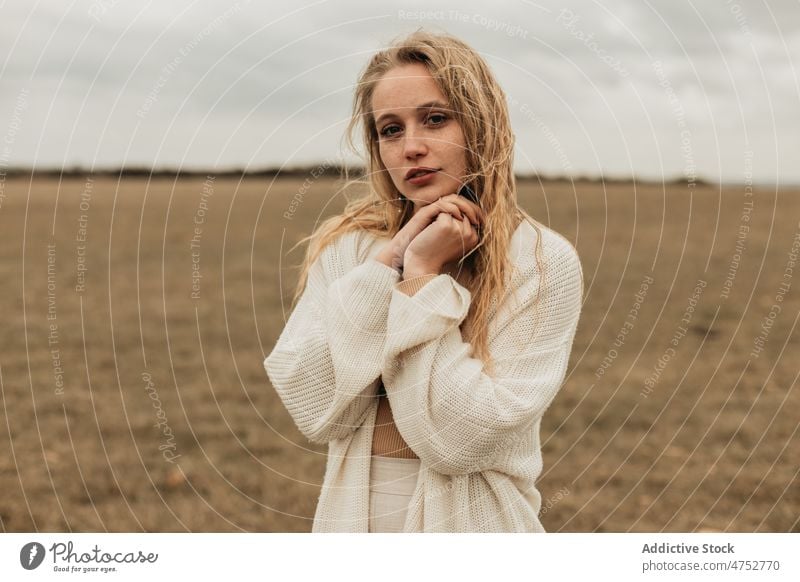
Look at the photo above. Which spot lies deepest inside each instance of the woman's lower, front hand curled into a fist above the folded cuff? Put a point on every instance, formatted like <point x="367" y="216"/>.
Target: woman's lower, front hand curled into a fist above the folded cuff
<point x="445" y="241"/>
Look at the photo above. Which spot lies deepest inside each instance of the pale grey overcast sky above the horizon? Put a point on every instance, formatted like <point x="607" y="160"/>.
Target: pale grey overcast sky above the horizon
<point x="619" y="88"/>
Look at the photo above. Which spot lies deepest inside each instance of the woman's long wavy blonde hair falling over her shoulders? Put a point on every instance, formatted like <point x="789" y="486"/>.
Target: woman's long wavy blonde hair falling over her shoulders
<point x="479" y="105"/>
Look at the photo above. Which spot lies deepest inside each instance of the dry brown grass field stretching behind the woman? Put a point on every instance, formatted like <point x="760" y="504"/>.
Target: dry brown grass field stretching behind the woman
<point x="134" y="397"/>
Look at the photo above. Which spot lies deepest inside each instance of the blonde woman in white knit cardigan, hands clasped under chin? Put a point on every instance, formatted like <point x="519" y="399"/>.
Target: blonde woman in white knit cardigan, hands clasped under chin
<point x="431" y="329"/>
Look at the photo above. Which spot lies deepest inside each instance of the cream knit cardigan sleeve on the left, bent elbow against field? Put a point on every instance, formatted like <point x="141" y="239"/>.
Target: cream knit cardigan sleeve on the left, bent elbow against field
<point x="326" y="364"/>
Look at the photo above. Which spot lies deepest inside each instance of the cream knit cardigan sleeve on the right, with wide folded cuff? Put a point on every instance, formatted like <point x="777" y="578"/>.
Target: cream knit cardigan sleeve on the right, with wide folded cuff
<point x="453" y="415"/>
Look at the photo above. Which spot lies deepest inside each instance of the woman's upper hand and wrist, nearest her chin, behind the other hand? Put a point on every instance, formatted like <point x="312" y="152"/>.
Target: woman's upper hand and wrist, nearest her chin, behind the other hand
<point x="453" y="205"/>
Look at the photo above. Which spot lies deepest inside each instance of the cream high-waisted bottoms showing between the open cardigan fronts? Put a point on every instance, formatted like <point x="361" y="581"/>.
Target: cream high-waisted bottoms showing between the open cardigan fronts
<point x="391" y="484"/>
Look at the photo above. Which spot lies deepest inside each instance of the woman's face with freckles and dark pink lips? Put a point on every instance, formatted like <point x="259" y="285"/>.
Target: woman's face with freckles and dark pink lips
<point x="416" y="129"/>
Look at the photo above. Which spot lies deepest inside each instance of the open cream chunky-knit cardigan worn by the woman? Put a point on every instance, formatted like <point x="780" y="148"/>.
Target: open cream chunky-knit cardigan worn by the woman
<point x="477" y="436"/>
